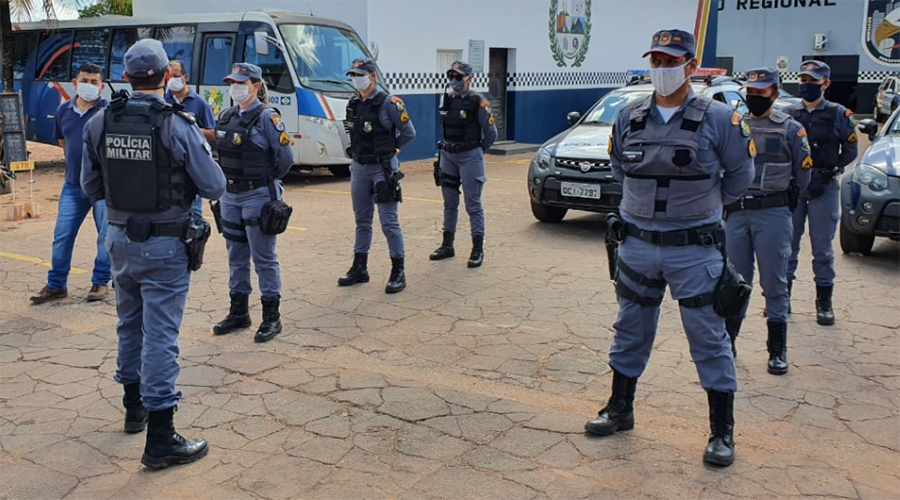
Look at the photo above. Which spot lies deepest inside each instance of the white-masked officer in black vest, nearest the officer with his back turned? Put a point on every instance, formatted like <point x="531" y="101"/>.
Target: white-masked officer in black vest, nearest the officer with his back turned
<point x="254" y="152"/>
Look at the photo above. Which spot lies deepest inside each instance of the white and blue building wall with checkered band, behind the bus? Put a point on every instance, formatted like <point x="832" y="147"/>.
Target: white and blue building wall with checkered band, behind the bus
<point x="408" y="34"/>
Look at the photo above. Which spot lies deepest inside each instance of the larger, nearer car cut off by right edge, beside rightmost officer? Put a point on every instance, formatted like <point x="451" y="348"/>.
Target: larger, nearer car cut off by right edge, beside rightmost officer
<point x="870" y="190"/>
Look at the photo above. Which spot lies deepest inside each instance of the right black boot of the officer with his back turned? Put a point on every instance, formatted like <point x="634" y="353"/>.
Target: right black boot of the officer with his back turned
<point x="166" y="447"/>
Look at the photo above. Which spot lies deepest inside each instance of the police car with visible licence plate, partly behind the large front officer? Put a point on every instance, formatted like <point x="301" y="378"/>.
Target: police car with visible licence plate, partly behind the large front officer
<point x="571" y="170"/>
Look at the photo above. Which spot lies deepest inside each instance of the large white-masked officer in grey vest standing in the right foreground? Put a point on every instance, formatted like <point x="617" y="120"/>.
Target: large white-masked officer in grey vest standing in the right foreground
<point x="679" y="156"/>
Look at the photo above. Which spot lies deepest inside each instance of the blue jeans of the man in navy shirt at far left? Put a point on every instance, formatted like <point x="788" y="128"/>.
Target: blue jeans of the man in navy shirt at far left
<point x="73" y="208"/>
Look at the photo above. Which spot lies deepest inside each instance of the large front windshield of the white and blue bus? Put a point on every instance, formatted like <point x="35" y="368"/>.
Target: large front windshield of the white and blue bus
<point x="322" y="55"/>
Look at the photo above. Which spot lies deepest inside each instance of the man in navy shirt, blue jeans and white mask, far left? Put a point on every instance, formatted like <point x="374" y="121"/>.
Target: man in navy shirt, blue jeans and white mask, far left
<point x="74" y="206"/>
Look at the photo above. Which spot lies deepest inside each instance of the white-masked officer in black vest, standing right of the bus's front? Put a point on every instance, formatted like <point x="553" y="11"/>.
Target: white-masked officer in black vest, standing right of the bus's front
<point x="379" y="128"/>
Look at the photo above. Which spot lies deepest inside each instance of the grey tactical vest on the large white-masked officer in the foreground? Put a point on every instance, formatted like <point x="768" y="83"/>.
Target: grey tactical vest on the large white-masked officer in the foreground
<point x="663" y="175"/>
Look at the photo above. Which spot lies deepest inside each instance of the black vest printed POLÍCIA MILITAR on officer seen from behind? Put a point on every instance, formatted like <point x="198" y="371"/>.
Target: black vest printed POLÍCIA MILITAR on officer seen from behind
<point x="139" y="173"/>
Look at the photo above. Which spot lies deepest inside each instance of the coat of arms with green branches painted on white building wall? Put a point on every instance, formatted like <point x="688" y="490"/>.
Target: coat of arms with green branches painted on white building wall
<point x="570" y="31"/>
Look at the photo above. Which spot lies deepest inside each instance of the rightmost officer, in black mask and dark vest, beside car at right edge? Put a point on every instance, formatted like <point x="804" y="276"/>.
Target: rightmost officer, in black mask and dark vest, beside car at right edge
<point x="832" y="135"/>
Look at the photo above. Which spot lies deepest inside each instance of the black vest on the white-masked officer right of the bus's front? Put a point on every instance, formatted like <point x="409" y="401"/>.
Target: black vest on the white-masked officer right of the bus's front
<point x="370" y="141"/>
